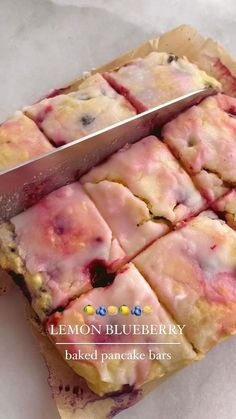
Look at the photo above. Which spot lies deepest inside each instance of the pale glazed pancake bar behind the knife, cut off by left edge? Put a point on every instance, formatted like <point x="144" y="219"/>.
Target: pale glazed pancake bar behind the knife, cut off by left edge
<point x="20" y="140"/>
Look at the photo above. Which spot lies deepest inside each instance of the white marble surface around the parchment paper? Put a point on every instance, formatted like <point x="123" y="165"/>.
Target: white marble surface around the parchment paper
<point x="43" y="45"/>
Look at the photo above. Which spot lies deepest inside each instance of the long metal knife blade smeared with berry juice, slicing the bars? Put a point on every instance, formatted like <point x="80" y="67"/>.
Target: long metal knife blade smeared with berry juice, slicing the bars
<point x="23" y="185"/>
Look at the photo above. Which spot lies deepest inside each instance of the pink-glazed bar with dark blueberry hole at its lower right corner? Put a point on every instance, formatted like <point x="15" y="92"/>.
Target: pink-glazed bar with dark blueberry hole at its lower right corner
<point x="58" y="249"/>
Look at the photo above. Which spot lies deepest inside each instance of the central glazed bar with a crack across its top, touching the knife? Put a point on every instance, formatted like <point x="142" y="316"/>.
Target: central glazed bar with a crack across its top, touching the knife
<point x="142" y="192"/>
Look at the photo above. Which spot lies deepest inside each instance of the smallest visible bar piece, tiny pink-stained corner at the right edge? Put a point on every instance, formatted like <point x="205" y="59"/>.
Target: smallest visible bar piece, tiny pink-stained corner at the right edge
<point x="226" y="208"/>
